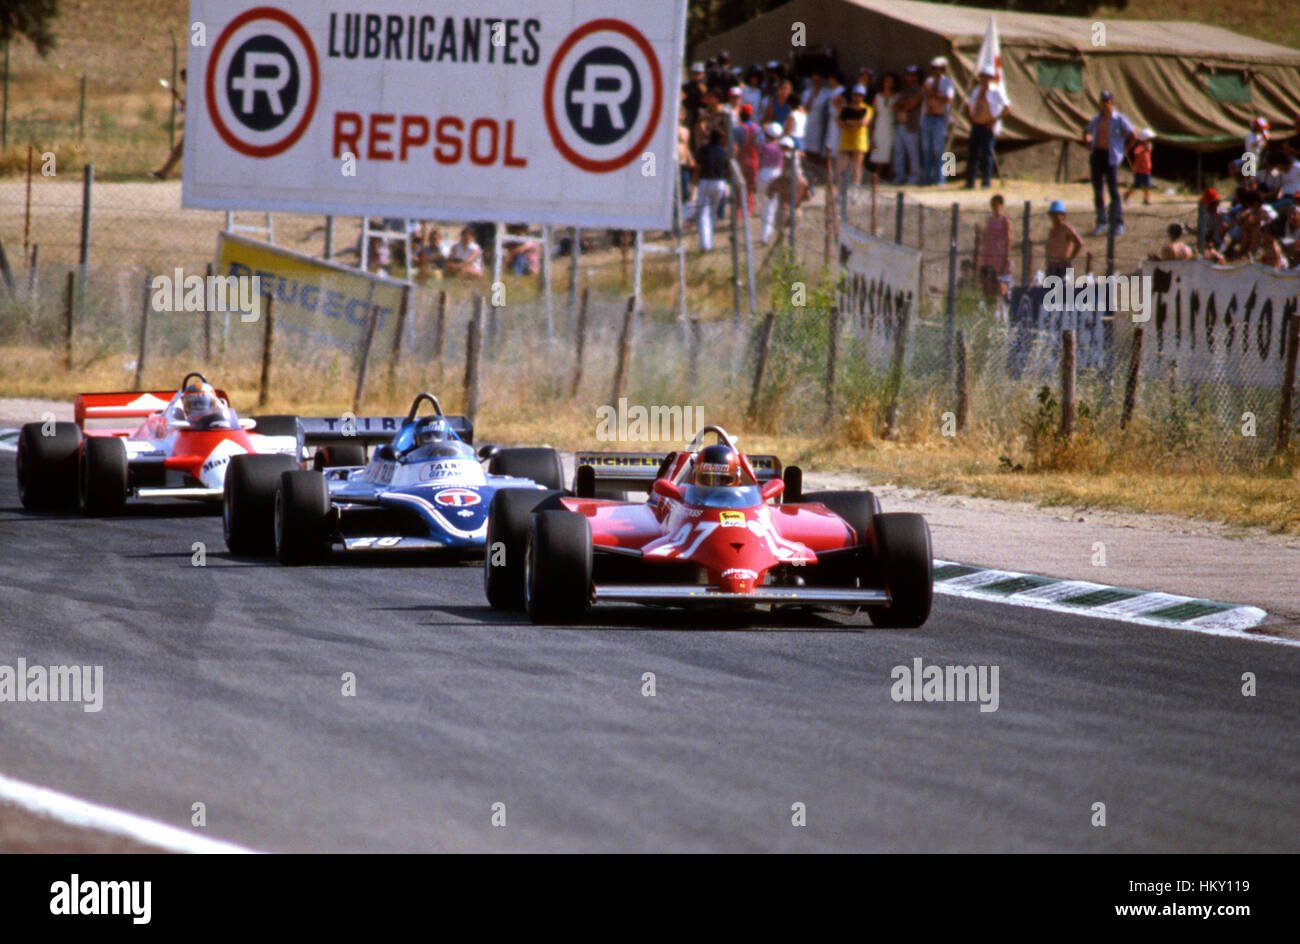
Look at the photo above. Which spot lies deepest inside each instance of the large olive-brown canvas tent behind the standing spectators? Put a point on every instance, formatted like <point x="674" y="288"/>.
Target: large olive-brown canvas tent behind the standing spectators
<point x="1199" y="86"/>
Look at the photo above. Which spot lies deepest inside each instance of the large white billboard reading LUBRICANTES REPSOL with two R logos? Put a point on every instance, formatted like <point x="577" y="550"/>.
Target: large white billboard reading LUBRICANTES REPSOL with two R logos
<point x="541" y="112"/>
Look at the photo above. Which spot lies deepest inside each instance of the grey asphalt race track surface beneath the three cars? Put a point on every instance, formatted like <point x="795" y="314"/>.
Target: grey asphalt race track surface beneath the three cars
<point x="223" y="686"/>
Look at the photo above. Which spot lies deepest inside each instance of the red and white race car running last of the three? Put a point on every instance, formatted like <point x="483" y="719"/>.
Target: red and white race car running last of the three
<point x="181" y="451"/>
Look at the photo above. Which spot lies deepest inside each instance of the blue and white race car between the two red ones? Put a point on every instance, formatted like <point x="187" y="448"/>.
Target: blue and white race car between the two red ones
<point x="424" y="488"/>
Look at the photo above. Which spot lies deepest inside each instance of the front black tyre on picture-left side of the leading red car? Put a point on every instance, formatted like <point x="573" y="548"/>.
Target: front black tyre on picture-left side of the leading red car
<point x="558" y="569"/>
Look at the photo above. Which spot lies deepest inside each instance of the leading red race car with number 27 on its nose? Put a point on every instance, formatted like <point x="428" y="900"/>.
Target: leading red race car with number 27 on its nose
<point x="717" y="530"/>
